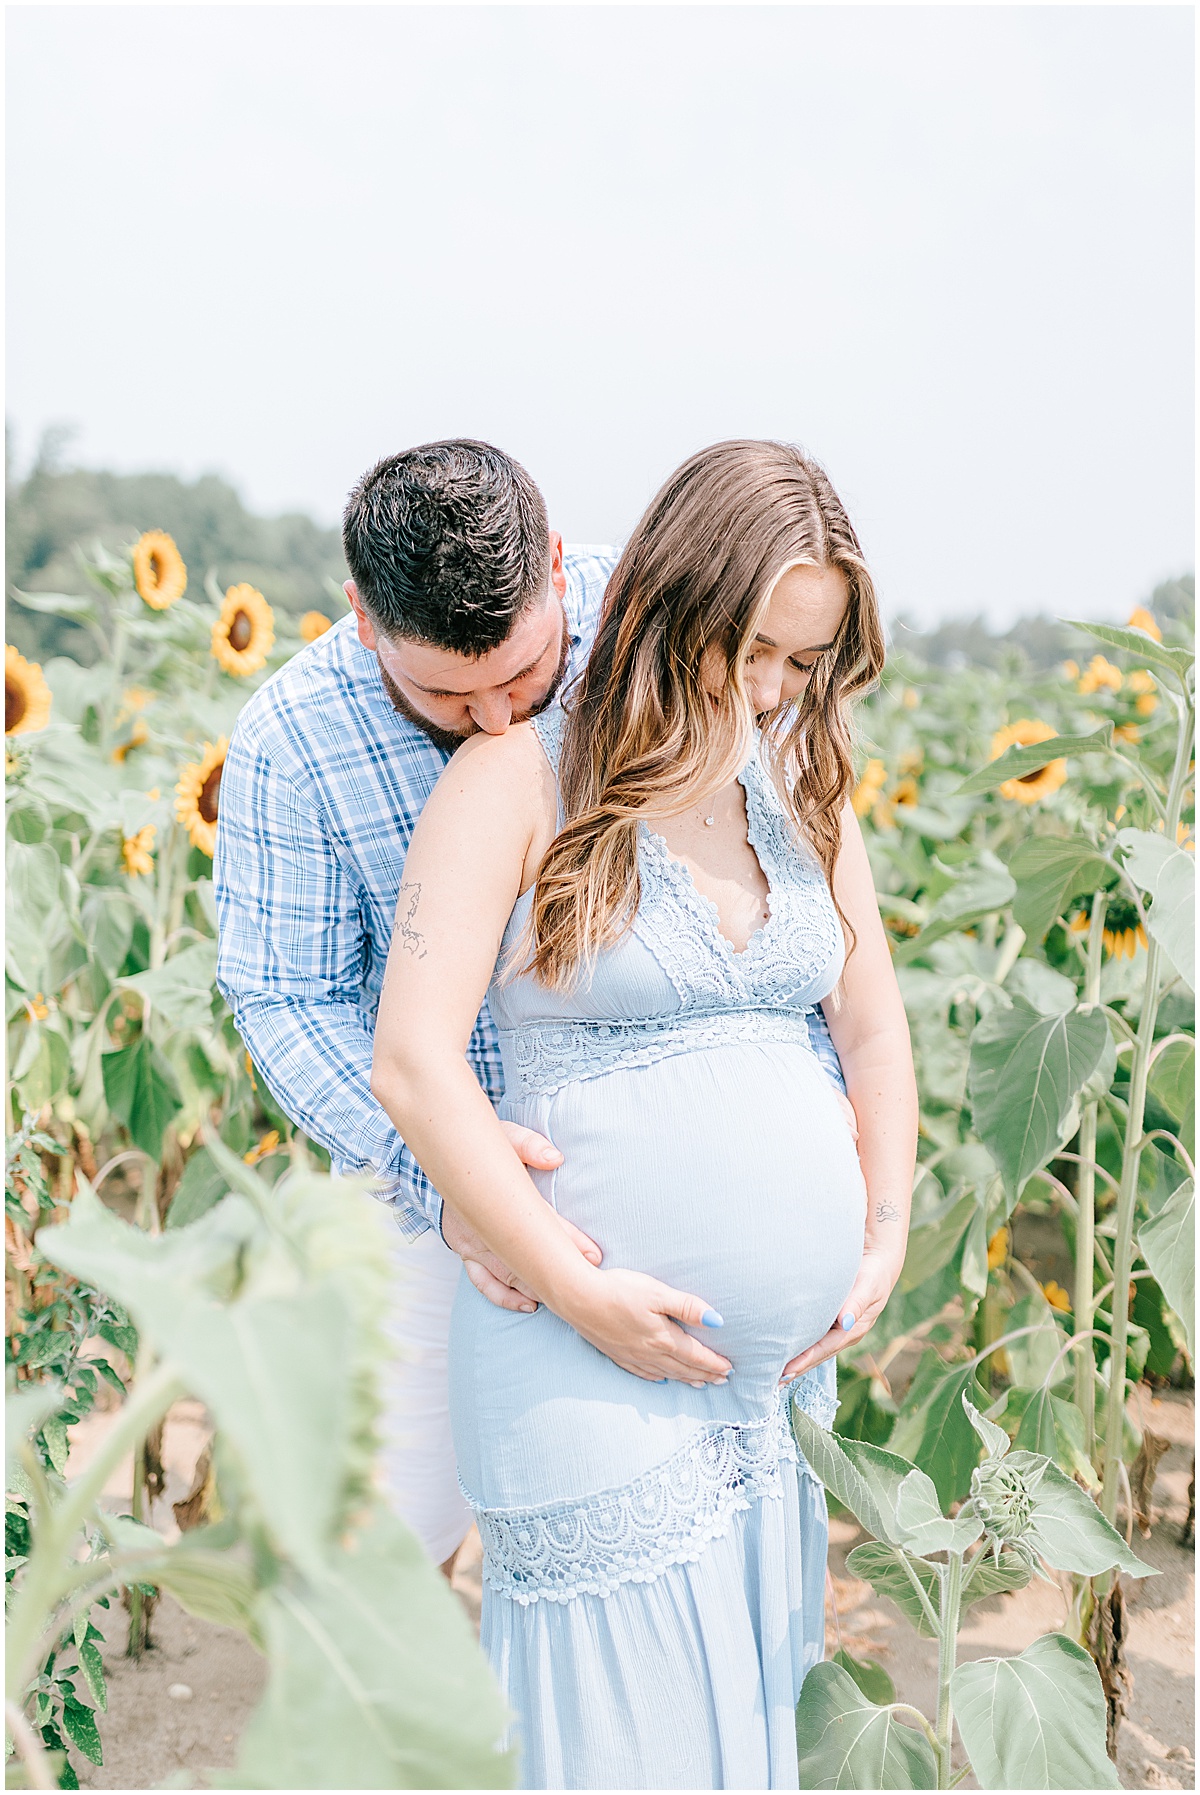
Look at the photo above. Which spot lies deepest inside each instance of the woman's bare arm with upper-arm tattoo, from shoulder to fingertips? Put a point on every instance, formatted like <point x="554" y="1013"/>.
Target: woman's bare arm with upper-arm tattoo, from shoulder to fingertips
<point x="474" y="850"/>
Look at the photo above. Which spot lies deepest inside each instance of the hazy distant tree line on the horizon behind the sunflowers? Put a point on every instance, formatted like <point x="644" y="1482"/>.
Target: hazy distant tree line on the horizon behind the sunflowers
<point x="299" y="566"/>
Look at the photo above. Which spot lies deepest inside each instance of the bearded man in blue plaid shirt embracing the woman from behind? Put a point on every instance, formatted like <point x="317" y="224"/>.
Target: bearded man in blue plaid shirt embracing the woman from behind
<point x="467" y="613"/>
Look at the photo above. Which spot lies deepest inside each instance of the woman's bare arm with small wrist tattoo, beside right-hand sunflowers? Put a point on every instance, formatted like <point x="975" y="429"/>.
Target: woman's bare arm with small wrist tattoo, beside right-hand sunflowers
<point x="871" y="1033"/>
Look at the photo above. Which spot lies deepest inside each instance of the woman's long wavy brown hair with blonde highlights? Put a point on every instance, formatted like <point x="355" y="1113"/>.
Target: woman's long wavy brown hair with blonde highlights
<point x="645" y="733"/>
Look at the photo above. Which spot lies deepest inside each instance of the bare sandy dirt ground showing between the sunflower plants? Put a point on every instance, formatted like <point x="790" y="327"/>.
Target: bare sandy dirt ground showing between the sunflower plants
<point x="178" y="1712"/>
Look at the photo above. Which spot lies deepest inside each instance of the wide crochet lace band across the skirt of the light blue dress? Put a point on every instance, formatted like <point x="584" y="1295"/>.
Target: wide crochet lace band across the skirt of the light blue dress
<point x="666" y="1518"/>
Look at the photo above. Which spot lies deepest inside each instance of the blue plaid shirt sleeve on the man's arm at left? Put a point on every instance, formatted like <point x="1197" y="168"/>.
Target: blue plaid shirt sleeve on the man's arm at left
<point x="290" y="965"/>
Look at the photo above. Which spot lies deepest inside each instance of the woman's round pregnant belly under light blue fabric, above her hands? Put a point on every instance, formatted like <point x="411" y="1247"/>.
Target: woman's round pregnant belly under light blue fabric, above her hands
<point x="727" y="1173"/>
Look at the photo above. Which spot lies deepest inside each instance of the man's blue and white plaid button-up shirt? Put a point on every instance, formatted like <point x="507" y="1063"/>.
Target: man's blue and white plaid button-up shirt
<point x="320" y="796"/>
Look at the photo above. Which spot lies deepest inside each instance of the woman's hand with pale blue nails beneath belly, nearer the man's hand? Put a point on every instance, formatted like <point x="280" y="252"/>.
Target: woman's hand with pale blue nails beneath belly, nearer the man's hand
<point x="632" y="1320"/>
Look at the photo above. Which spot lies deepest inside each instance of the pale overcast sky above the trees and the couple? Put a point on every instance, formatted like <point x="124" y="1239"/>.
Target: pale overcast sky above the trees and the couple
<point x="946" y="249"/>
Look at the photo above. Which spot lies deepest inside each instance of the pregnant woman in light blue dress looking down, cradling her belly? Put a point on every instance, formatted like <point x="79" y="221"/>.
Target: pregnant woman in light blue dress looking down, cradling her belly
<point x="654" y="888"/>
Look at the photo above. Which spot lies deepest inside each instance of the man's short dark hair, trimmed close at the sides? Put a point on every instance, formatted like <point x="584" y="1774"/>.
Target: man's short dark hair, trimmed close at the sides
<point x="448" y="545"/>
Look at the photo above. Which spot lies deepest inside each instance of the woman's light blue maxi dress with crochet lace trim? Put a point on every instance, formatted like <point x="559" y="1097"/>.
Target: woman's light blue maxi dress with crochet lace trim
<point x="656" y="1555"/>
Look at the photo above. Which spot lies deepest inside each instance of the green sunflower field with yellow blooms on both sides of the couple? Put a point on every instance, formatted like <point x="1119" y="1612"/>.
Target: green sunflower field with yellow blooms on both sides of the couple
<point x="171" y="1234"/>
